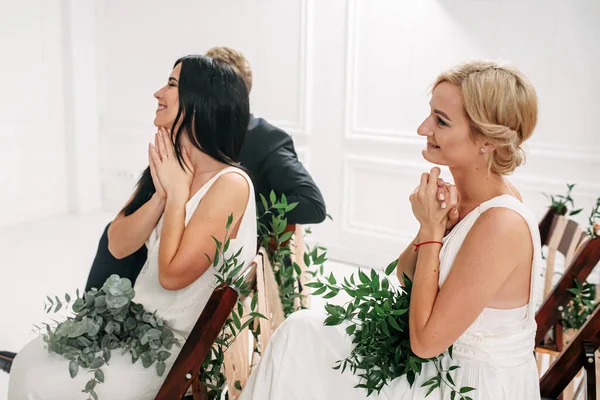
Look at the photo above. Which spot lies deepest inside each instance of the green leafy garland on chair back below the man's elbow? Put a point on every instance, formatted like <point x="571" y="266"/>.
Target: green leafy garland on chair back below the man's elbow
<point x="274" y="237"/>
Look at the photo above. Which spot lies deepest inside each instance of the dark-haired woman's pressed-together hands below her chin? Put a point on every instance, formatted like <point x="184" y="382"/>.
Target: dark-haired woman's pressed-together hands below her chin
<point x="167" y="174"/>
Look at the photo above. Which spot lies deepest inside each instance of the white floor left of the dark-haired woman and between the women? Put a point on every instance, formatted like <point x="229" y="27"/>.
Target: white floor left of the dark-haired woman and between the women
<point x="53" y="257"/>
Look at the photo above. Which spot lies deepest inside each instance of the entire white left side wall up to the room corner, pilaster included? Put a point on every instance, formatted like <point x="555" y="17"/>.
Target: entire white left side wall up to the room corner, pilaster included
<point x="48" y="110"/>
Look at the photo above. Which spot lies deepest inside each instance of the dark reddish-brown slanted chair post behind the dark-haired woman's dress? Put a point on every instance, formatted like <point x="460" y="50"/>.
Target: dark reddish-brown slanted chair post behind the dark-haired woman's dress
<point x="185" y="371"/>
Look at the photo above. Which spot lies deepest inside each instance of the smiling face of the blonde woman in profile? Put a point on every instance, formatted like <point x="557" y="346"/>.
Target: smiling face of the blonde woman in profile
<point x="448" y="131"/>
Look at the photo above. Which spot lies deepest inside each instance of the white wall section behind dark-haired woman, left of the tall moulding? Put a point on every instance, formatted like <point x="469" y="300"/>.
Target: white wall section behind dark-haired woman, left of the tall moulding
<point x="139" y="41"/>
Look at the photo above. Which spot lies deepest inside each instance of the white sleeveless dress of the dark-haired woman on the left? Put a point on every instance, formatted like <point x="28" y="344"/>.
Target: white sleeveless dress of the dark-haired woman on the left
<point x="39" y="375"/>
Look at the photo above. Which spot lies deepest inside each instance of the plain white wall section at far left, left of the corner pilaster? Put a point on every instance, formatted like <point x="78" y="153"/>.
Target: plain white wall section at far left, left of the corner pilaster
<point x="32" y="160"/>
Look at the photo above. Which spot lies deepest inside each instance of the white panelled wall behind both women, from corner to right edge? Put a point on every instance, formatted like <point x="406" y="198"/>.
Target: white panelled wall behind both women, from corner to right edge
<point x="349" y="79"/>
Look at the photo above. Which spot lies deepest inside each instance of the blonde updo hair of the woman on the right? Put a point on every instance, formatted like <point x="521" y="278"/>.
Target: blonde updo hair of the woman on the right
<point x="501" y="105"/>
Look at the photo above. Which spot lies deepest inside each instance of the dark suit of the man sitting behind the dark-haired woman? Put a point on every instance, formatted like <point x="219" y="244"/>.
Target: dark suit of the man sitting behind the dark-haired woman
<point x="269" y="155"/>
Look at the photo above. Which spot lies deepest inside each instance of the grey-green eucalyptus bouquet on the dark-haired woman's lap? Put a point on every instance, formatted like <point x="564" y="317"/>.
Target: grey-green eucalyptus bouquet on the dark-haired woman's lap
<point x="106" y="320"/>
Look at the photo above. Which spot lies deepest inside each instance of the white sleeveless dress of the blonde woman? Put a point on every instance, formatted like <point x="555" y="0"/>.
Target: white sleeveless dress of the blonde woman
<point x="495" y="354"/>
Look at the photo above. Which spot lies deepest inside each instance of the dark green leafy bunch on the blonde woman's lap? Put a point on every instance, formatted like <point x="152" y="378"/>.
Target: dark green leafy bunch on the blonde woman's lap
<point x="376" y="318"/>
